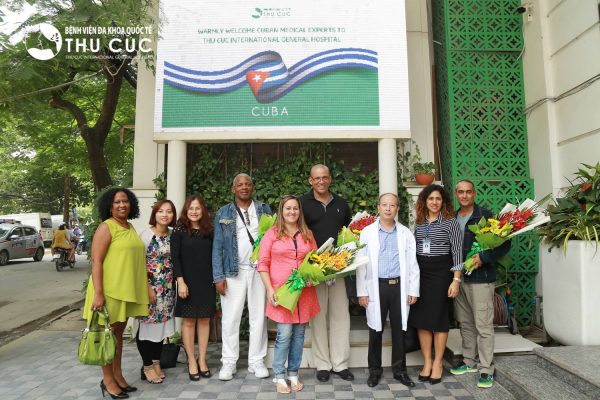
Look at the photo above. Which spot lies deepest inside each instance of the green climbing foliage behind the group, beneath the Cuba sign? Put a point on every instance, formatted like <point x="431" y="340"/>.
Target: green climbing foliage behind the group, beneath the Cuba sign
<point x="212" y="174"/>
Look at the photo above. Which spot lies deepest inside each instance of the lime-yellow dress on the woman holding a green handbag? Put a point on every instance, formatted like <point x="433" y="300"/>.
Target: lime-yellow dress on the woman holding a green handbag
<point x="124" y="276"/>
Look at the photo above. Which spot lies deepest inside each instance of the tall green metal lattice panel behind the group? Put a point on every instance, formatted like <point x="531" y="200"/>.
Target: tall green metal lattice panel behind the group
<point x="481" y="127"/>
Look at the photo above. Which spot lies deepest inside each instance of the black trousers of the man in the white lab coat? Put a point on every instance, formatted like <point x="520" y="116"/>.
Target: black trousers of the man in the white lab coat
<point x="389" y="301"/>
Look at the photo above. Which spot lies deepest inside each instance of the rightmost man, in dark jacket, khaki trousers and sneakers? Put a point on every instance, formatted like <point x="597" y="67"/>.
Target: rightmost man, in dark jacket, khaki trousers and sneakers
<point x="475" y="303"/>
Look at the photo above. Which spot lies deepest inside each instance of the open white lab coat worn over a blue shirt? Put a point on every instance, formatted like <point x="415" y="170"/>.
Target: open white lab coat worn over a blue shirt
<point x="367" y="276"/>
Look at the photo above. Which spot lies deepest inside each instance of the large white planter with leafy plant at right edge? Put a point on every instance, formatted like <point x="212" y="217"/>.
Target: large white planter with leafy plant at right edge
<point x="571" y="263"/>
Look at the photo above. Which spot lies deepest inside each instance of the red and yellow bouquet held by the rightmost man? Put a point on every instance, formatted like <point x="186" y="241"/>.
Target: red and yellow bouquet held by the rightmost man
<point x="511" y="221"/>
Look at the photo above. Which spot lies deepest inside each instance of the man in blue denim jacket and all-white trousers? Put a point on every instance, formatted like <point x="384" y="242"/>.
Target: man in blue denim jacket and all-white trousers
<point x="235" y="277"/>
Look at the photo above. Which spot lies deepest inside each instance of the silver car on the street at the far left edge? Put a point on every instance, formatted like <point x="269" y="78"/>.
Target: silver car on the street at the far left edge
<point x="20" y="241"/>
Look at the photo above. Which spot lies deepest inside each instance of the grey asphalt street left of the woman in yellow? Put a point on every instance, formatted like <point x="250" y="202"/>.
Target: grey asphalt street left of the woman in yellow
<point x="31" y="290"/>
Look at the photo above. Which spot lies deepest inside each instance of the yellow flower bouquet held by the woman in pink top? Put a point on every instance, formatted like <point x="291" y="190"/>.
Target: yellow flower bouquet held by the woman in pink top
<point x="327" y="263"/>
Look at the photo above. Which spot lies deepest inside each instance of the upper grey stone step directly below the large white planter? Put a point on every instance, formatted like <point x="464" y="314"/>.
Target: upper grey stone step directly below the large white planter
<point x="577" y="365"/>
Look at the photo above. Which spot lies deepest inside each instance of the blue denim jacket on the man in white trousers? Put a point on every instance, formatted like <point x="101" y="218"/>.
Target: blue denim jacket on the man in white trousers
<point x="225" y="255"/>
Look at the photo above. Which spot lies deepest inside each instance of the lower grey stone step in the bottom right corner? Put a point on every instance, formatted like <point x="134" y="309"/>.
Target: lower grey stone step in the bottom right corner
<point x="526" y="379"/>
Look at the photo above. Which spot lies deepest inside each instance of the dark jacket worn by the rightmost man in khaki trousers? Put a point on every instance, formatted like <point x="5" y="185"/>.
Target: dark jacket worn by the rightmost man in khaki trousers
<point x="487" y="272"/>
